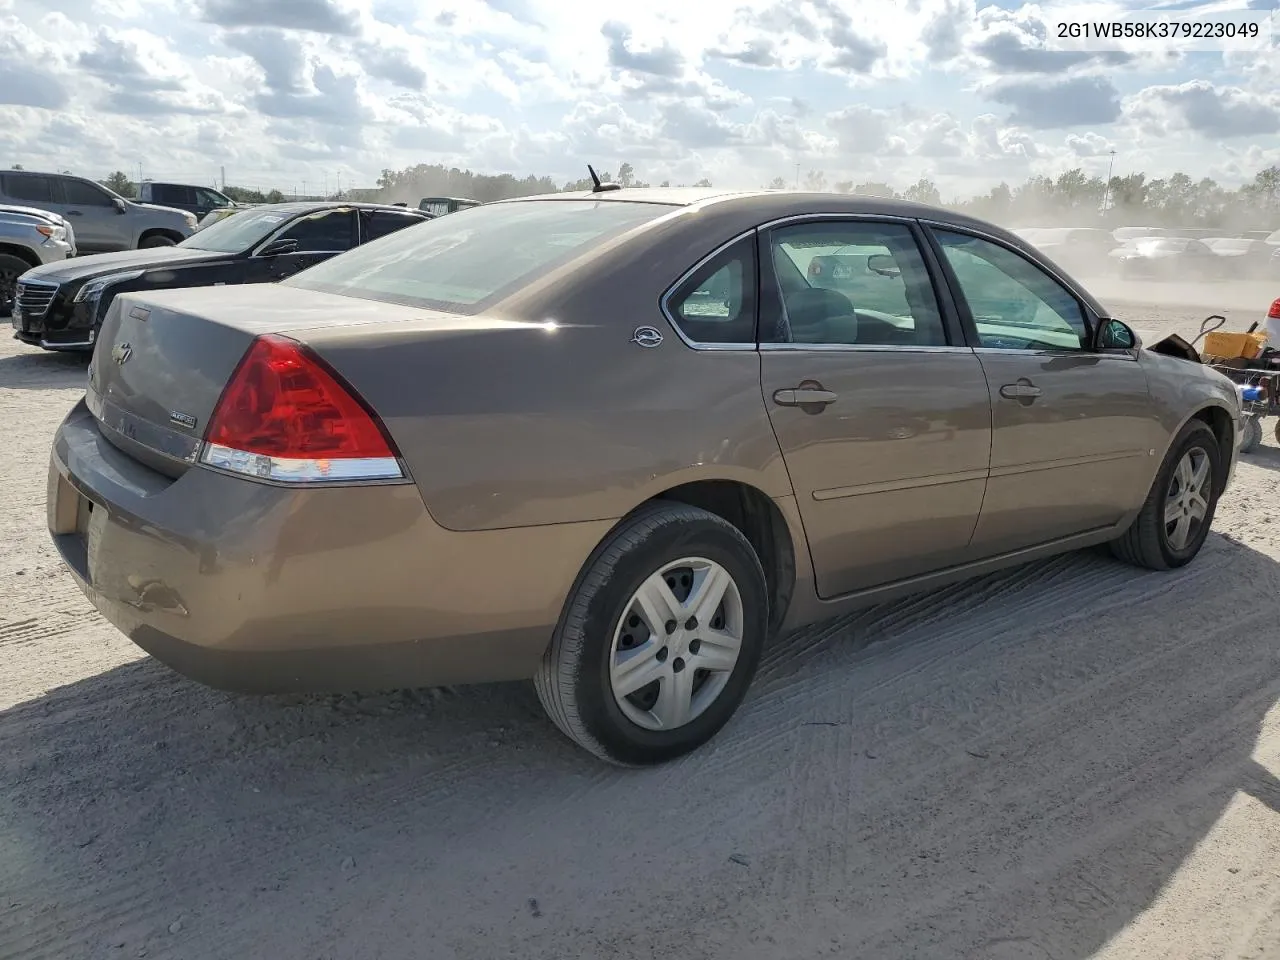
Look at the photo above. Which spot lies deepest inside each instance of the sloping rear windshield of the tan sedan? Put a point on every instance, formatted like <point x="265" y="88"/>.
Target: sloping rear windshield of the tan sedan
<point x="463" y="262"/>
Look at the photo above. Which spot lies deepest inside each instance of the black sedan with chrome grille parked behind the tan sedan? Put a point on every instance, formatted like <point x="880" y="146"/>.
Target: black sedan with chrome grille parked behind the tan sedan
<point x="61" y="307"/>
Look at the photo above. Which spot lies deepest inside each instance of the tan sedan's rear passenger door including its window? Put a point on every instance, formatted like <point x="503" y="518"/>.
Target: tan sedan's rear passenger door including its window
<point x="881" y="412"/>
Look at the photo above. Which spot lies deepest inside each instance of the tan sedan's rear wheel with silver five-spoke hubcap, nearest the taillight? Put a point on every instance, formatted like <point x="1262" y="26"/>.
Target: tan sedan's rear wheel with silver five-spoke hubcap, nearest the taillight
<point x="660" y="638"/>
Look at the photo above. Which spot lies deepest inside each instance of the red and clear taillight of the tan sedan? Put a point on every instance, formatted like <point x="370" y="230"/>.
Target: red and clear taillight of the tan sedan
<point x="285" y="415"/>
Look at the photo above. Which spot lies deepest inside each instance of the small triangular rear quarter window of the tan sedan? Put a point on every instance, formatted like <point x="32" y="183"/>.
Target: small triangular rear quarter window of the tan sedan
<point x="717" y="304"/>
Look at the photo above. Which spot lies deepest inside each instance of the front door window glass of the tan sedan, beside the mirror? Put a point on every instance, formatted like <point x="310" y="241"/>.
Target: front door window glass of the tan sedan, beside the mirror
<point x="1014" y="304"/>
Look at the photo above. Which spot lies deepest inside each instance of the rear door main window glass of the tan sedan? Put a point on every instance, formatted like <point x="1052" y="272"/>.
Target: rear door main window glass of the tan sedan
<point x="858" y="284"/>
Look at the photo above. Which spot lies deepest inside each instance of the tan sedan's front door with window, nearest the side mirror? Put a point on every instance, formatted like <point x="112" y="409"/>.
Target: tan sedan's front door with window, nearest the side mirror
<point x="1073" y="429"/>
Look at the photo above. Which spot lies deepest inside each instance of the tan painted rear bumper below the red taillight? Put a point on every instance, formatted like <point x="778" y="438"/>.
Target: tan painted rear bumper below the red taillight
<point x="267" y="589"/>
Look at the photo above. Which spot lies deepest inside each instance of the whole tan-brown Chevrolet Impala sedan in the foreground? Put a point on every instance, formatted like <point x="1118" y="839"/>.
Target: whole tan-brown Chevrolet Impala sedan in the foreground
<point x="612" y="442"/>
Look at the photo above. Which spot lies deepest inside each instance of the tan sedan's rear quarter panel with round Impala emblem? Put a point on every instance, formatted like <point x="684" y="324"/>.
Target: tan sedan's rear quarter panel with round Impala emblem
<point x="546" y="413"/>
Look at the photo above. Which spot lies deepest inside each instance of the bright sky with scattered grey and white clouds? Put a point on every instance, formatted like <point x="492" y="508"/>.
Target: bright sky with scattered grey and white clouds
<point x="292" y="93"/>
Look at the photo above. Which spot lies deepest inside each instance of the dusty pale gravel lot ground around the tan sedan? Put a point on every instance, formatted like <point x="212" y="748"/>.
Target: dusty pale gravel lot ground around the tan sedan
<point x="1071" y="760"/>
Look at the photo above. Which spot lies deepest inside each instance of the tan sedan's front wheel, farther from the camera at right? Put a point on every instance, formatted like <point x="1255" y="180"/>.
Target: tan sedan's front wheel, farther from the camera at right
<point x="1177" y="516"/>
